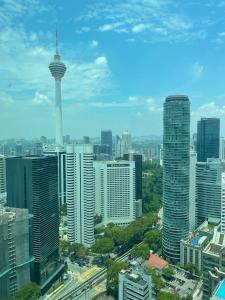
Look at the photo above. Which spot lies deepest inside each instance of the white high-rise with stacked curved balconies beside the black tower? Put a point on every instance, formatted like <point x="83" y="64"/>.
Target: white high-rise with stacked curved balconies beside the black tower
<point x="80" y="194"/>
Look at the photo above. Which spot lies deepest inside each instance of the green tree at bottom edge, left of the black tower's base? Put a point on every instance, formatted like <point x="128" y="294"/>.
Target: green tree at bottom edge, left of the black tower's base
<point x="31" y="291"/>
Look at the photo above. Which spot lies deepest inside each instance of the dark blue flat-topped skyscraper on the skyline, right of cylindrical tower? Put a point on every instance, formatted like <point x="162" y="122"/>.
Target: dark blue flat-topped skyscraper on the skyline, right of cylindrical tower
<point x="208" y="138"/>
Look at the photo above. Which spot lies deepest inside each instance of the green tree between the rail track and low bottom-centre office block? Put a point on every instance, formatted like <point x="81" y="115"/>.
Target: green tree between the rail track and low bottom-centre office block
<point x="113" y="269"/>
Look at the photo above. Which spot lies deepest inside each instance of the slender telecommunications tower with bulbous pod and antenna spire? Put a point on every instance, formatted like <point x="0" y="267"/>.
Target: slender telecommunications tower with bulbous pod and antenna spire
<point x="58" y="69"/>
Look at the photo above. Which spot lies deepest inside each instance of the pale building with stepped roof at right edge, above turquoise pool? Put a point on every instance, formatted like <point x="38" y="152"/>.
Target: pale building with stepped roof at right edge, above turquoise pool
<point x="213" y="263"/>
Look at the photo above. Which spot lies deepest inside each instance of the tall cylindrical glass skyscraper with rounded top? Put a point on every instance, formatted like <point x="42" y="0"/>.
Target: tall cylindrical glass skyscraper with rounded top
<point x="176" y="147"/>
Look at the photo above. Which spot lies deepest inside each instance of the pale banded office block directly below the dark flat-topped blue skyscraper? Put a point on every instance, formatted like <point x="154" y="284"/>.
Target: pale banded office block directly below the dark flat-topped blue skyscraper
<point x="208" y="190"/>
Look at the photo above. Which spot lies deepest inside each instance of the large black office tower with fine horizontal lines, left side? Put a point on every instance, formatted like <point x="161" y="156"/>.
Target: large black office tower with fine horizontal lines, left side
<point x="32" y="183"/>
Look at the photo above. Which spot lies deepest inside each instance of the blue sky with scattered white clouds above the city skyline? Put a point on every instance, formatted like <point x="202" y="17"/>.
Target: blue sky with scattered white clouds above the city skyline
<point x="123" y="58"/>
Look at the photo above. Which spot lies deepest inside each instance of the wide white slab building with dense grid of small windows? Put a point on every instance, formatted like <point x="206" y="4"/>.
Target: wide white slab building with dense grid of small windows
<point x="115" y="198"/>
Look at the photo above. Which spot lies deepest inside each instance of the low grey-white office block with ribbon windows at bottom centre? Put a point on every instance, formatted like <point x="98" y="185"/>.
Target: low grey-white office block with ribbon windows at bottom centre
<point x="134" y="285"/>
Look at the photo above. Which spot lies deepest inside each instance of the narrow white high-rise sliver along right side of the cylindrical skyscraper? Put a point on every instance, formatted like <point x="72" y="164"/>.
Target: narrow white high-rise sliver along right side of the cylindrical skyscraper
<point x="192" y="178"/>
